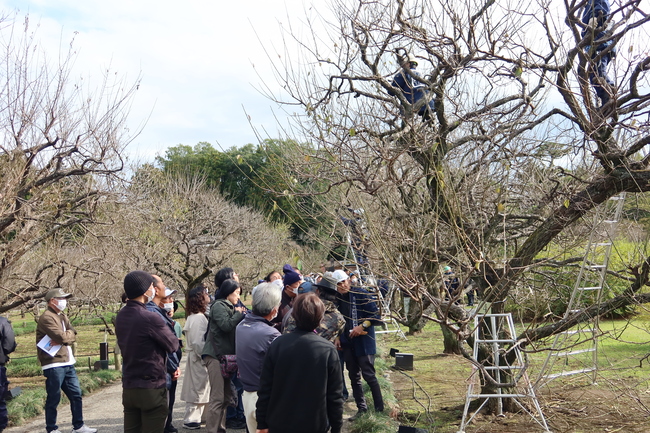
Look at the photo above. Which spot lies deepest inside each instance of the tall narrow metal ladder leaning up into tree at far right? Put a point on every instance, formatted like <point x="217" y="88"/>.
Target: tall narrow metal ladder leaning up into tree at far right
<point x="577" y="348"/>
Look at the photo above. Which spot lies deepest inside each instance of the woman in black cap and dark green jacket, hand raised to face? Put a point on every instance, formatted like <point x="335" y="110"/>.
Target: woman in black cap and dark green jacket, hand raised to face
<point x="223" y="319"/>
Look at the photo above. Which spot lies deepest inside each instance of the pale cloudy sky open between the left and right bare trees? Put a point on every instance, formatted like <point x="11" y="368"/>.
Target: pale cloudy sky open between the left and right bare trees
<point x="195" y="59"/>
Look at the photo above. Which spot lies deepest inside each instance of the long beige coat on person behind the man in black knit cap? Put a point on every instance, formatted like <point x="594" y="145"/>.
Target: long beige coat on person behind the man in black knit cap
<point x="196" y="388"/>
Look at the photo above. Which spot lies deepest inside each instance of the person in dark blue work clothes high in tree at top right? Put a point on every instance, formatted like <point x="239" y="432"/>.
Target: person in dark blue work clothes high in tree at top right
<point x="595" y="18"/>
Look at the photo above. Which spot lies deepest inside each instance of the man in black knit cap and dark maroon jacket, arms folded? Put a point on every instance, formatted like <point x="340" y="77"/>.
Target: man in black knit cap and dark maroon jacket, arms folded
<point x="145" y="341"/>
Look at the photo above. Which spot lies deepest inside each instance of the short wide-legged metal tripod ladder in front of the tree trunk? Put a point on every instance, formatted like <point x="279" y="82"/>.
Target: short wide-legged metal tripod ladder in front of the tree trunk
<point x="497" y="331"/>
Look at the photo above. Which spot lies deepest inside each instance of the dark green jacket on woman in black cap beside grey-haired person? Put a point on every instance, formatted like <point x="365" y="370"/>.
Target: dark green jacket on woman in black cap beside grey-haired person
<point x="222" y="322"/>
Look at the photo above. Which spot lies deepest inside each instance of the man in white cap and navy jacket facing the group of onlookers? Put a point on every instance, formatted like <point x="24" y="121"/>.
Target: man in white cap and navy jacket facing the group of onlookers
<point x="357" y="341"/>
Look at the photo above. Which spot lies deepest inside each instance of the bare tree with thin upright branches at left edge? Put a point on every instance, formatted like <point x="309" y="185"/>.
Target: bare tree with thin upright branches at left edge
<point x="61" y="149"/>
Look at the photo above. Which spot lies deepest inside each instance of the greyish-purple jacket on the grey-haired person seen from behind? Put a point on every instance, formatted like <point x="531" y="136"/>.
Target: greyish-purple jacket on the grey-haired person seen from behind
<point x="253" y="337"/>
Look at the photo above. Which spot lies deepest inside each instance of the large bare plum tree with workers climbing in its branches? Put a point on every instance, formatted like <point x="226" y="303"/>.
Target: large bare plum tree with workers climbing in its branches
<point x="495" y="152"/>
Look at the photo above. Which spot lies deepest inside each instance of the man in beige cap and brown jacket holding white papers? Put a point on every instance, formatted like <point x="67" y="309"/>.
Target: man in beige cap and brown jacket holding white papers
<point x="54" y="337"/>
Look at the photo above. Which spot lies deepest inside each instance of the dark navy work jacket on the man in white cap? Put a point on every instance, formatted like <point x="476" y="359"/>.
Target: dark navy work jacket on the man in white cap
<point x="365" y="304"/>
